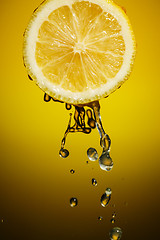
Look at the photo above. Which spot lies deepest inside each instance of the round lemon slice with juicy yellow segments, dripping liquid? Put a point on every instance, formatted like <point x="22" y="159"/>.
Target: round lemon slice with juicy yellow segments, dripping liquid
<point x="79" y="51"/>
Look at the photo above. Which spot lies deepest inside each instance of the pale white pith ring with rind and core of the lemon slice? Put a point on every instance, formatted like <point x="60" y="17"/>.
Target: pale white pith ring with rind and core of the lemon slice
<point x="57" y="91"/>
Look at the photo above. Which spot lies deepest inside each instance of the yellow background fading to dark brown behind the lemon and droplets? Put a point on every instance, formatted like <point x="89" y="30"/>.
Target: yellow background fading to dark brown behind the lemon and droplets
<point x="35" y="183"/>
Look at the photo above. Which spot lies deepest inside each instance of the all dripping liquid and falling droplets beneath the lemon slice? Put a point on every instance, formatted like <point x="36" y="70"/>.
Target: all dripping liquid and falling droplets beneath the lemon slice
<point x="105" y="160"/>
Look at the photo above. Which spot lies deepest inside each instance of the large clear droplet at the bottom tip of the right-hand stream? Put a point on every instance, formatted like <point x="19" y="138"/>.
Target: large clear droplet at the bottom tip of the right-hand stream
<point x="105" y="161"/>
